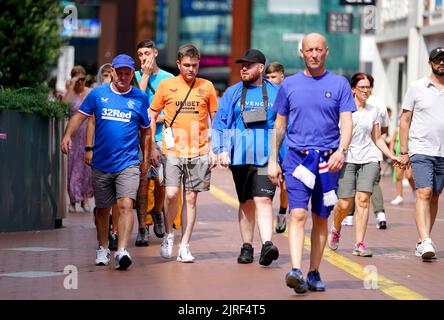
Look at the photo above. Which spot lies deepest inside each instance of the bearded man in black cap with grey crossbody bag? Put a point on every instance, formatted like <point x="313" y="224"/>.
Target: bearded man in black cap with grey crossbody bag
<point x="242" y="133"/>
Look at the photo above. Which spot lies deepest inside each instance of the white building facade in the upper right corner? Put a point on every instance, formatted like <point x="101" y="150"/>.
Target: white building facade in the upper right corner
<point x="406" y="31"/>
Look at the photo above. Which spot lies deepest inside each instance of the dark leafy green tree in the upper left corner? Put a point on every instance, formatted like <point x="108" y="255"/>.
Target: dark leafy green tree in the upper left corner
<point x="30" y="41"/>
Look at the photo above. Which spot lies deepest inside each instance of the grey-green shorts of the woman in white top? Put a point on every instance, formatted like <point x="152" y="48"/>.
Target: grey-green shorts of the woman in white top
<point x="357" y="177"/>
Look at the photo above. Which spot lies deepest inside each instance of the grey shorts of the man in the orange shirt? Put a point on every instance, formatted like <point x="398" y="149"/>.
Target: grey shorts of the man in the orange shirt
<point x="194" y="171"/>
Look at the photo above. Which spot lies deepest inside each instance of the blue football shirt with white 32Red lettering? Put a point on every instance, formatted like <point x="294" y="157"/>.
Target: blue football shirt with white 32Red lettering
<point x="118" y="119"/>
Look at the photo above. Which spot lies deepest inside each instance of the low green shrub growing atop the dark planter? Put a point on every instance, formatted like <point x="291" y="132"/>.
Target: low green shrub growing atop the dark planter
<point x="33" y="100"/>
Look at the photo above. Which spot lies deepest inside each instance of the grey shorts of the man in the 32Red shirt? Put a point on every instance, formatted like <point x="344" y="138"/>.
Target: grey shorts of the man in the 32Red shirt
<point x="108" y="187"/>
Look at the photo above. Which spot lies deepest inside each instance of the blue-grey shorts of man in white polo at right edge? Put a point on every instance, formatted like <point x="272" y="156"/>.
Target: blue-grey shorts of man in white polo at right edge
<point x="428" y="172"/>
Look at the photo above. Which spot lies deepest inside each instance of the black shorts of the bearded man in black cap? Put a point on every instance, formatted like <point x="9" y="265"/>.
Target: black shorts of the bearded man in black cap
<point x="252" y="181"/>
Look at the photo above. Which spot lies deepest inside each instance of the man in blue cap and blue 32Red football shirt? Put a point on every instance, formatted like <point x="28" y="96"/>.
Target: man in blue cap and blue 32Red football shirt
<point x="121" y="113"/>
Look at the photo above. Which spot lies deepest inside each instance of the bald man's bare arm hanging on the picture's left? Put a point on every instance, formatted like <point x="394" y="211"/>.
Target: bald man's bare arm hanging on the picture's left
<point x="274" y="170"/>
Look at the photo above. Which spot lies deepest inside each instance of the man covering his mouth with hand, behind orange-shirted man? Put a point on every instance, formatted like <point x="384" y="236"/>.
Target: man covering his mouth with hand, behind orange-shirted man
<point x="149" y="77"/>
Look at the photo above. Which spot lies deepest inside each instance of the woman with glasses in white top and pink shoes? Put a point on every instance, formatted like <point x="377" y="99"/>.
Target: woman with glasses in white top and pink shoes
<point x="361" y="166"/>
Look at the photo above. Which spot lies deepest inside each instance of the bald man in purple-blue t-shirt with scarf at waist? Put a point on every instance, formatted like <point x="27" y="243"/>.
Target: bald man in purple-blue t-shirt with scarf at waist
<point x="318" y="104"/>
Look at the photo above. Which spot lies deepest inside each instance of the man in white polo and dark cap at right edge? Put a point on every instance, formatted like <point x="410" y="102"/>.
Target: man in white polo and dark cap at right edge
<point x="421" y="135"/>
